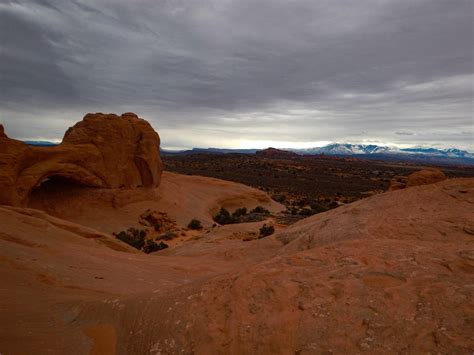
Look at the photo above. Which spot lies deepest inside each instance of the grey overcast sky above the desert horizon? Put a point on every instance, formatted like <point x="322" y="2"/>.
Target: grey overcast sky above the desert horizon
<point x="243" y="73"/>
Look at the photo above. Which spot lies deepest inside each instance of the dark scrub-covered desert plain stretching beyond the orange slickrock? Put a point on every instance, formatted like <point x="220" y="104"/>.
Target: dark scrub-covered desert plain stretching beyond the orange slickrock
<point x="315" y="183"/>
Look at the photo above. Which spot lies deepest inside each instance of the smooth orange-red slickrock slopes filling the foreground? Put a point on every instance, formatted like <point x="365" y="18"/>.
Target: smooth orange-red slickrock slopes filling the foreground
<point x="389" y="274"/>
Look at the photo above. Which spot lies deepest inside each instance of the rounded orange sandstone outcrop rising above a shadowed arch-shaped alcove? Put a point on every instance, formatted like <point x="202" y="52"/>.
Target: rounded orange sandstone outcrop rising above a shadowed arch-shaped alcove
<point x="102" y="150"/>
